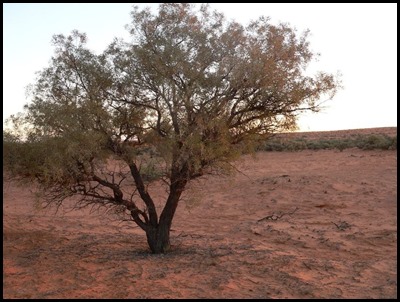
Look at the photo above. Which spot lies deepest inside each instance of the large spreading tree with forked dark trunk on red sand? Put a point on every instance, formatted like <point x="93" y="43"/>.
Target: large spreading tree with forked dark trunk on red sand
<point x="189" y="93"/>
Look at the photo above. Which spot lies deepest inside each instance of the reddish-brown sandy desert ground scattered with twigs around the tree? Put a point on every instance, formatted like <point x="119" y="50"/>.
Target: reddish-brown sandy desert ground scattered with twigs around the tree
<point x="306" y="224"/>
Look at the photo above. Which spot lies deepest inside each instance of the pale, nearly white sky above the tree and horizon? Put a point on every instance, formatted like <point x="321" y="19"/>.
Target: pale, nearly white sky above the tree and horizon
<point x="357" y="40"/>
